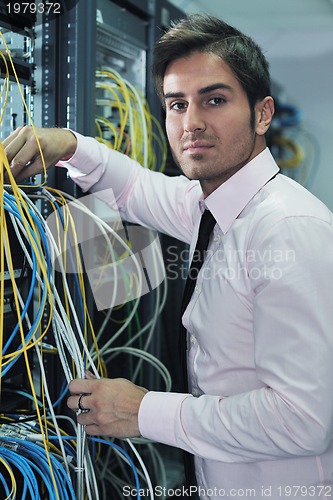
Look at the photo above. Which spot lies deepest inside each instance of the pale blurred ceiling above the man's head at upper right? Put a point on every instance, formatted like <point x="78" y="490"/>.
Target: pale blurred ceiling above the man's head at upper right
<point x="283" y="28"/>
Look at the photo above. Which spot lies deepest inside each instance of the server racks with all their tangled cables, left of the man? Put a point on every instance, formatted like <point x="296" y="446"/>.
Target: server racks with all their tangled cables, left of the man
<point x="69" y="71"/>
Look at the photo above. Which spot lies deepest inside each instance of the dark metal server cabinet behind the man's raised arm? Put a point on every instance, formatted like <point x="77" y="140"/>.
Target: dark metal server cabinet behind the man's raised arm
<point x="122" y="38"/>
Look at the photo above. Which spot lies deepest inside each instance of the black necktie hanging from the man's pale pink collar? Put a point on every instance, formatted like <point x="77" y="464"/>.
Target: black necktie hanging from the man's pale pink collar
<point x="206" y="226"/>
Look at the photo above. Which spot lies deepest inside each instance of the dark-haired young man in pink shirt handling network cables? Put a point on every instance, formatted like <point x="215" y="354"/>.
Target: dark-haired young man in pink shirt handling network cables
<point x="259" y="413"/>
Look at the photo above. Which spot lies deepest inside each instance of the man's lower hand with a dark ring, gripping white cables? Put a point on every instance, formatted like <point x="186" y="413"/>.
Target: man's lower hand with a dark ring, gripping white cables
<point x="113" y="406"/>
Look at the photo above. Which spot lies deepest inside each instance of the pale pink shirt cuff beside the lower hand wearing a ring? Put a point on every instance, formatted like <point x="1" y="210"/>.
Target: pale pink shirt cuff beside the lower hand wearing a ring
<point x="159" y="414"/>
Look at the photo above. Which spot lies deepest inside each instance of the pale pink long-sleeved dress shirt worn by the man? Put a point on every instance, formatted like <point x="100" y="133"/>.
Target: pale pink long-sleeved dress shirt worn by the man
<point x="259" y="418"/>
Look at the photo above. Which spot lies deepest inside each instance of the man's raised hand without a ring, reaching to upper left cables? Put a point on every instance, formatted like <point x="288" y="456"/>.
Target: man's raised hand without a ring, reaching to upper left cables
<point x="23" y="152"/>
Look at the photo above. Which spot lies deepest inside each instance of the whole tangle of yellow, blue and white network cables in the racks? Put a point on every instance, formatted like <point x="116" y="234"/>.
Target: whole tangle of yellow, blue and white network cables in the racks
<point x="37" y="455"/>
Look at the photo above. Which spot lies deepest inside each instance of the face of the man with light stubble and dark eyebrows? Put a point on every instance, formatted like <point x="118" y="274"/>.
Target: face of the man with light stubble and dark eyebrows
<point x="208" y="120"/>
